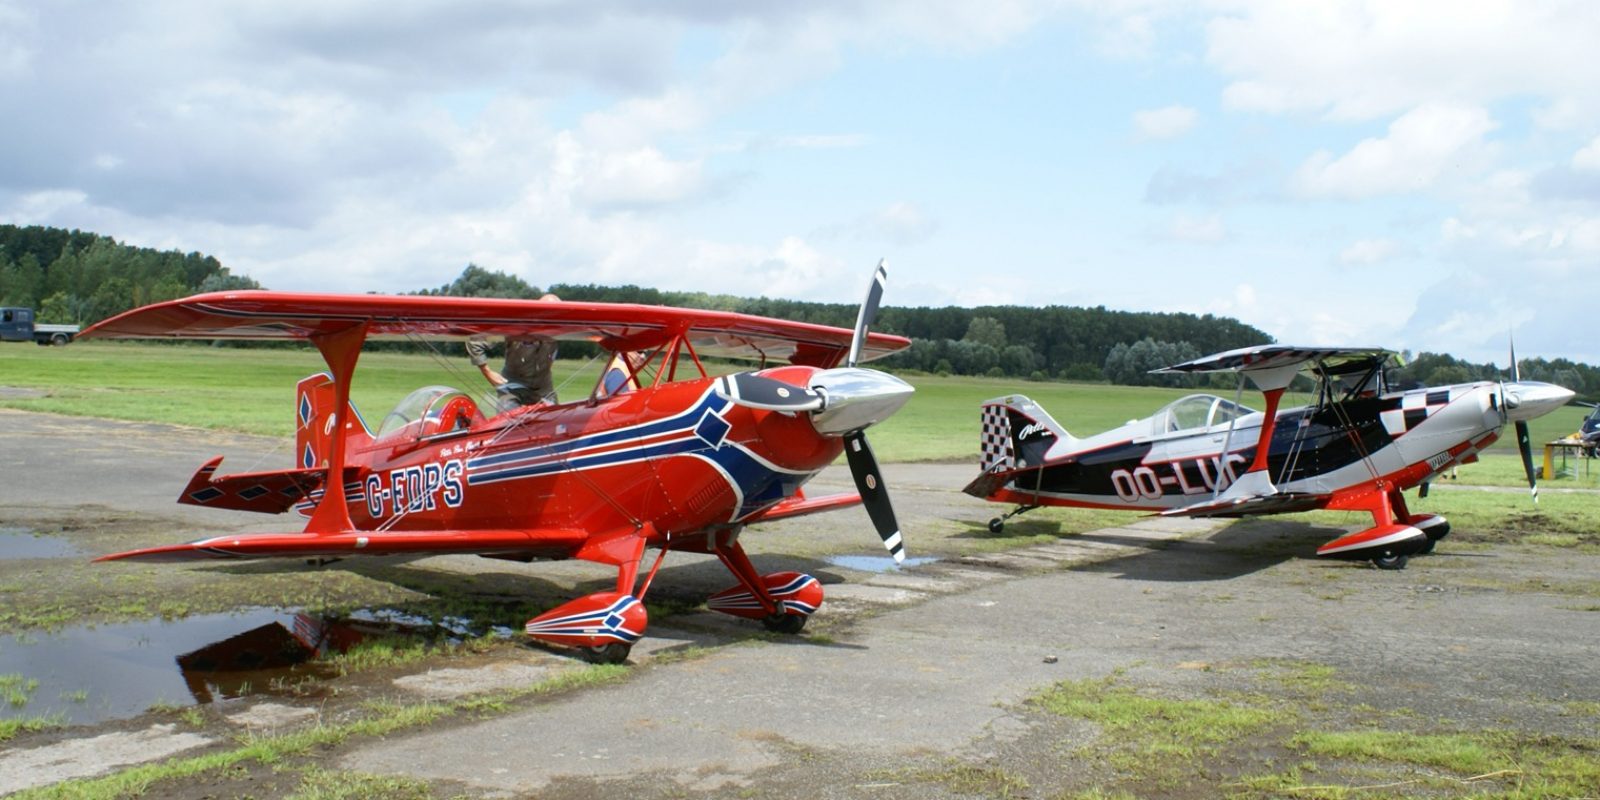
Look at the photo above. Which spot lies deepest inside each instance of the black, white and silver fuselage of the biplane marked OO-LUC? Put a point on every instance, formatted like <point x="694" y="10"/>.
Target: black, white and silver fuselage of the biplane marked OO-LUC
<point x="1175" y="460"/>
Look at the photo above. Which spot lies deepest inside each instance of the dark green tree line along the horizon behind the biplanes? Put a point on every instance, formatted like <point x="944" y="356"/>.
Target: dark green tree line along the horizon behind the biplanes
<point x="81" y="278"/>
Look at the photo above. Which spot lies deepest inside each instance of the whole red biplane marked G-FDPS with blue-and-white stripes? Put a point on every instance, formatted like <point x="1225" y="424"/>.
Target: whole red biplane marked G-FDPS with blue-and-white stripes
<point x="676" y="458"/>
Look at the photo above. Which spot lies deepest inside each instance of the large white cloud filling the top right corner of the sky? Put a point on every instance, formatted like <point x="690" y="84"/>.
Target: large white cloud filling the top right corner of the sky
<point x="1358" y="60"/>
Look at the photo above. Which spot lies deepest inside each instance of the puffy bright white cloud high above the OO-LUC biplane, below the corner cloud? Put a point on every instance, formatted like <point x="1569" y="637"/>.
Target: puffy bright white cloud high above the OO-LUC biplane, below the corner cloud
<point x="1420" y="150"/>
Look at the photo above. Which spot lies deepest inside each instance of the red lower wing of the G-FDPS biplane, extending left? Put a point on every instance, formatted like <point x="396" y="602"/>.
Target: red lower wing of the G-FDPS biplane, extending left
<point x="559" y="542"/>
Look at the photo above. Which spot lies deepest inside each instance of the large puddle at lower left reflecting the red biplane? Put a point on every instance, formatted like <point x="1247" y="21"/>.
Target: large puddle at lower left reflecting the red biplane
<point x="116" y="671"/>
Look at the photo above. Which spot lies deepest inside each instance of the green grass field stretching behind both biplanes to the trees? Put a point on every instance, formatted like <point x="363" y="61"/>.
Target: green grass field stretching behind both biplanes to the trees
<point x="252" y="391"/>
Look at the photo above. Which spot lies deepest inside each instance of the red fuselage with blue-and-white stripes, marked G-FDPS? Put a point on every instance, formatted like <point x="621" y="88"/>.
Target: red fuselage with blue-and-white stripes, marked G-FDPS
<point x="678" y="457"/>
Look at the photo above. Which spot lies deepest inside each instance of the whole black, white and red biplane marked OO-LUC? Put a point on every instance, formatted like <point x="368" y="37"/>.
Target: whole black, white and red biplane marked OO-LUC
<point x="1358" y="447"/>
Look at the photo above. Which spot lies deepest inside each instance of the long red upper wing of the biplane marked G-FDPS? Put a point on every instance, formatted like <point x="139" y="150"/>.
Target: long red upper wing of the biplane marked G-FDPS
<point x="617" y="327"/>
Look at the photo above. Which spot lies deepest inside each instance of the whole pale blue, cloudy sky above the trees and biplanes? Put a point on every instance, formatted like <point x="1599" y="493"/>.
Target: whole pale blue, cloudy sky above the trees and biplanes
<point x="1414" y="175"/>
